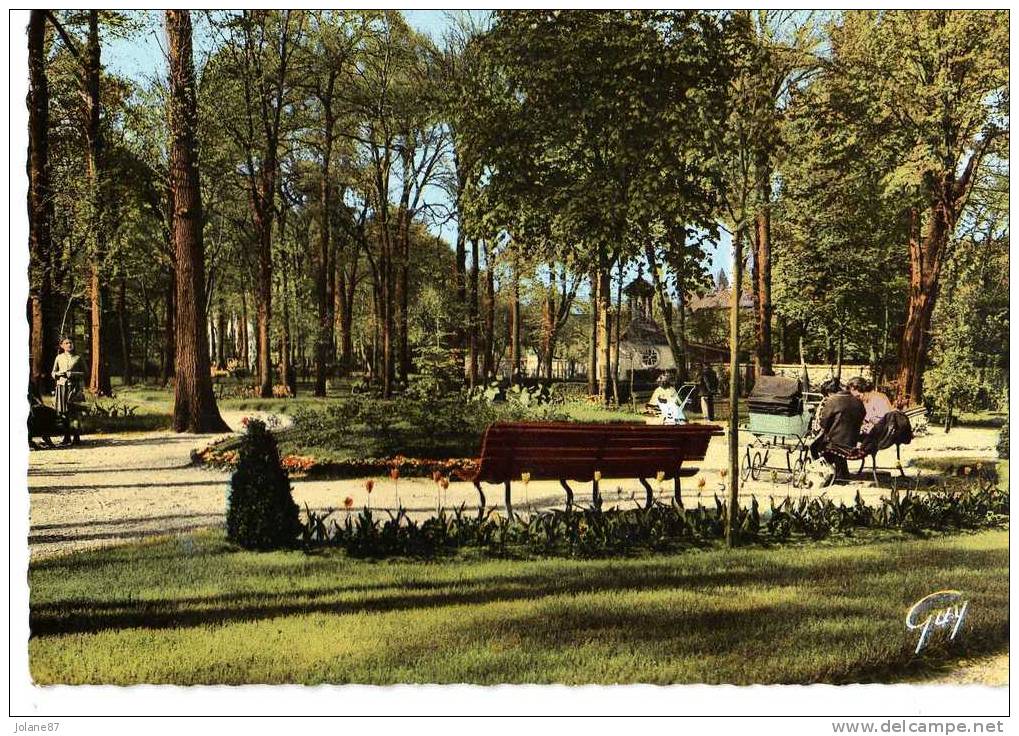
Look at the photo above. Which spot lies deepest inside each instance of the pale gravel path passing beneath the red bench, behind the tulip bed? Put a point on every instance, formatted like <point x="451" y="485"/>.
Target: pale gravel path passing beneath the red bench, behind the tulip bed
<point x="120" y="488"/>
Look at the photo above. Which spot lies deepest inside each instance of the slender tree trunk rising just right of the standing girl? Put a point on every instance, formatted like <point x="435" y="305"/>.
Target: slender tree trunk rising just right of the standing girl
<point x="99" y="378"/>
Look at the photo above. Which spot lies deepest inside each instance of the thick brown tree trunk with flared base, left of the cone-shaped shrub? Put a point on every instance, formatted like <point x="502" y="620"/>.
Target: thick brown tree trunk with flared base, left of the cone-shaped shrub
<point x="194" y="404"/>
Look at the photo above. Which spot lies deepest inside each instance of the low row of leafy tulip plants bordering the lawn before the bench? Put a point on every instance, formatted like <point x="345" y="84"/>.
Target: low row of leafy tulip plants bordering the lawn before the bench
<point x="970" y="502"/>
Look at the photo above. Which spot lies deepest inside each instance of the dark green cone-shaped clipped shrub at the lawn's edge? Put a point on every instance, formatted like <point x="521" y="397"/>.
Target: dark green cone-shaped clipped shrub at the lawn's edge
<point x="261" y="513"/>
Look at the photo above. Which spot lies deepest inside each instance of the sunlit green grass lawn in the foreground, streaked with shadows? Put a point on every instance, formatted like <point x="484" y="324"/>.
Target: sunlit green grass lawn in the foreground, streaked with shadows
<point x="194" y="610"/>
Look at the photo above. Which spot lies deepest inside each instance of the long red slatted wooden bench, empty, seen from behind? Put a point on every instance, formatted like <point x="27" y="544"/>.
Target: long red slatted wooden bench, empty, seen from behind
<point x="568" y="451"/>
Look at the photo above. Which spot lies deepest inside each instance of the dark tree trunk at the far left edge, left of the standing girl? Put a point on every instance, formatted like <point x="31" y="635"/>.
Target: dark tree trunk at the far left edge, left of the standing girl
<point x="42" y="340"/>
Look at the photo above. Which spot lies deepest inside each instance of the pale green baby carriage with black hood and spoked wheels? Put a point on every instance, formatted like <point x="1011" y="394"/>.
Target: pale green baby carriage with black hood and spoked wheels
<point x="781" y="425"/>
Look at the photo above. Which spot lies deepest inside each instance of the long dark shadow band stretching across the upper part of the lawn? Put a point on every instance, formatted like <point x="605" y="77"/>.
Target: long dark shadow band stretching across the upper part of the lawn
<point x="82" y="616"/>
